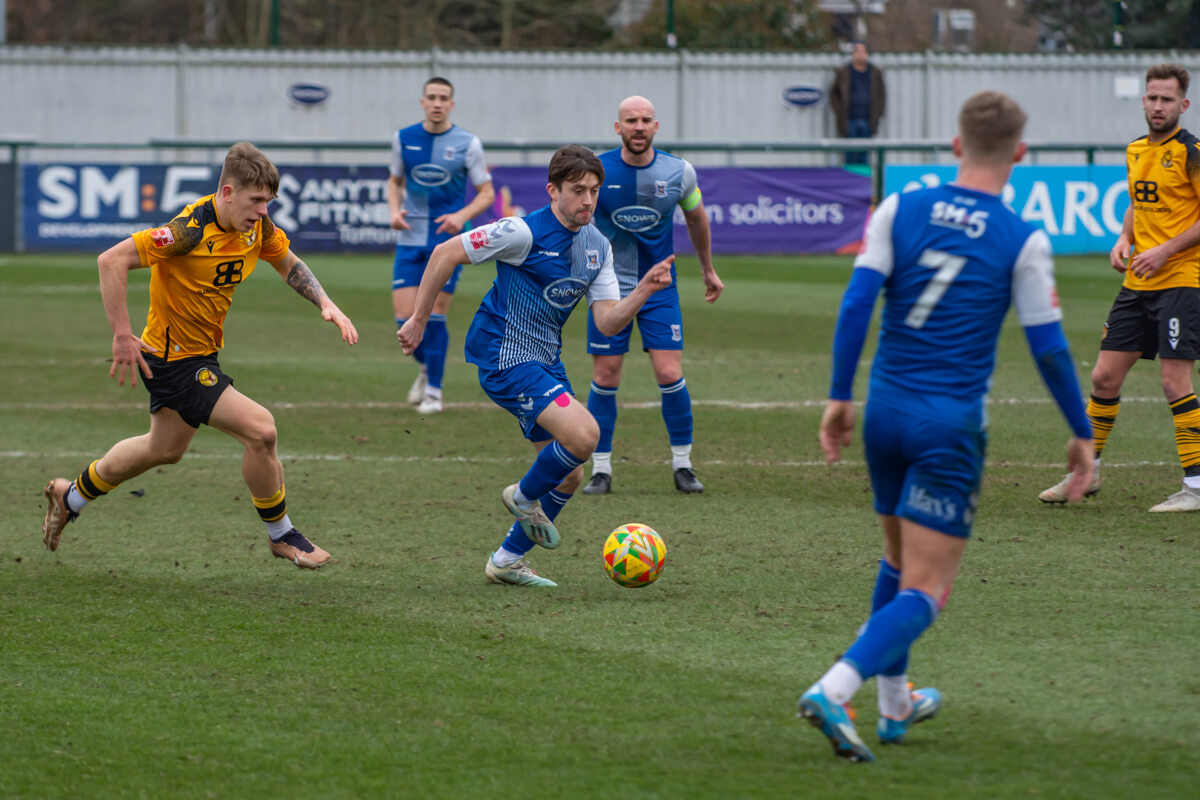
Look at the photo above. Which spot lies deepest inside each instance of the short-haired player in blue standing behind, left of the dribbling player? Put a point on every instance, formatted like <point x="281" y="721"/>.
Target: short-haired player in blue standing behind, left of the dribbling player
<point x="431" y="164"/>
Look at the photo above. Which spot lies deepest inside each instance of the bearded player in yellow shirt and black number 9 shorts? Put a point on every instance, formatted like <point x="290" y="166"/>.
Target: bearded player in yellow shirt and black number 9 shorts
<point x="1157" y="311"/>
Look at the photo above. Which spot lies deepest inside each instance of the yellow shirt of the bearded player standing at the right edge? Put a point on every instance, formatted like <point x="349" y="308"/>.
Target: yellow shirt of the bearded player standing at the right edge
<point x="1165" y="193"/>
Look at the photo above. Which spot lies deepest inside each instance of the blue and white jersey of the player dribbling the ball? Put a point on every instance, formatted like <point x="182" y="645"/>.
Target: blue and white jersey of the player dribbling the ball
<point x="543" y="270"/>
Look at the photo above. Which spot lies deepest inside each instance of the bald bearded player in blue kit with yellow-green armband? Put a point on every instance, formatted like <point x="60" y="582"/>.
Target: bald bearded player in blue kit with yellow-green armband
<point x="641" y="191"/>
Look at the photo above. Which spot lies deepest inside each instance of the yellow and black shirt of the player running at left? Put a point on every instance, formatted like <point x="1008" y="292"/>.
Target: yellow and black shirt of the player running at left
<point x="196" y="264"/>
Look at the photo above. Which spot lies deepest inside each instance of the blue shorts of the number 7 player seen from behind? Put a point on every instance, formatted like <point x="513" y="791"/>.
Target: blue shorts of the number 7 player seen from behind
<point x="925" y="471"/>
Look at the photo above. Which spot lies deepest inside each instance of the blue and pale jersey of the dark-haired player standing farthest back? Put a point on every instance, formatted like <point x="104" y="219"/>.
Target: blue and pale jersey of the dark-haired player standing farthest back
<point x="436" y="169"/>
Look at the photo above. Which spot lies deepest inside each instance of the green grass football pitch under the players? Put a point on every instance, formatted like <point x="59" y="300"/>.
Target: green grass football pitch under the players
<point x="163" y="653"/>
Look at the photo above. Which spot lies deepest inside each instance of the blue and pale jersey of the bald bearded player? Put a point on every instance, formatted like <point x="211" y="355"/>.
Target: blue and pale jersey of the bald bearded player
<point x="637" y="212"/>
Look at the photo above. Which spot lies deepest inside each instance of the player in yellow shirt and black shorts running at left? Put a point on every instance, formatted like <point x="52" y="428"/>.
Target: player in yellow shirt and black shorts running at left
<point x="197" y="262"/>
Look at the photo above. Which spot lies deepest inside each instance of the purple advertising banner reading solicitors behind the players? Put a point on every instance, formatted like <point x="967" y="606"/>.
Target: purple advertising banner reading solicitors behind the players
<point x="795" y="210"/>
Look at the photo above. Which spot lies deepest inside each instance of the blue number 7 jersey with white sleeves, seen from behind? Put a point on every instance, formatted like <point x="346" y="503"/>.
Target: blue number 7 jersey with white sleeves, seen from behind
<point x="953" y="261"/>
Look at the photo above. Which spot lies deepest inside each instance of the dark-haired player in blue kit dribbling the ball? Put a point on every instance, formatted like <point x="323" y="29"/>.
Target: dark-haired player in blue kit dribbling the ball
<point x="545" y="263"/>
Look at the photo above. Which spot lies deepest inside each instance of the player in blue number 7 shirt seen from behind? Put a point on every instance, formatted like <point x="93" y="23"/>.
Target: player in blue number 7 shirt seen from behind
<point x="951" y="261"/>
